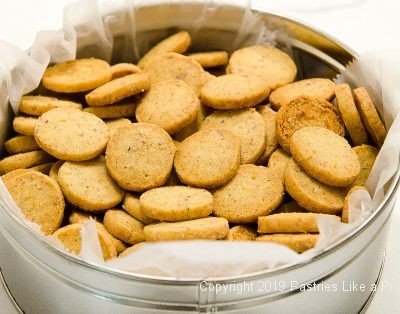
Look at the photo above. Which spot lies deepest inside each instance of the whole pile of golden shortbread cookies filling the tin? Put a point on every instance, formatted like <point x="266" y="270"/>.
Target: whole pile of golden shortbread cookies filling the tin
<point x="189" y="146"/>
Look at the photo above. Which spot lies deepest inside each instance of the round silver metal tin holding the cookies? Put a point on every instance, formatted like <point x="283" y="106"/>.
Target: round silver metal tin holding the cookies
<point x="44" y="279"/>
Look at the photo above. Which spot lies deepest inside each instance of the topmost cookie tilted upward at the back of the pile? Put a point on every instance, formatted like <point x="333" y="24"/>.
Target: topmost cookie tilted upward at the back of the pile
<point x="178" y="43"/>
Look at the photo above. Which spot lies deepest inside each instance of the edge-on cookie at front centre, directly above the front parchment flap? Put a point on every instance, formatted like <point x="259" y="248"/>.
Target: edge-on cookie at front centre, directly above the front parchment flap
<point x="209" y="228"/>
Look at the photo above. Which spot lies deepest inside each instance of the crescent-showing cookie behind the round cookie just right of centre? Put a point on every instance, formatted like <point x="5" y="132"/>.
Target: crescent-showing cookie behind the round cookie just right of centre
<point x="247" y="124"/>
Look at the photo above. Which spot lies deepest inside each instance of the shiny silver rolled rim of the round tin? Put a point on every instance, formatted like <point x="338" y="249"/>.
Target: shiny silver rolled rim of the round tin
<point x="255" y="275"/>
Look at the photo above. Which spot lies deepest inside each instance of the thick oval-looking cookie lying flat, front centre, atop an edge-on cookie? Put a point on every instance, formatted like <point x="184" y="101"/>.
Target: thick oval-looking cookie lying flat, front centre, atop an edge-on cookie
<point x="176" y="203"/>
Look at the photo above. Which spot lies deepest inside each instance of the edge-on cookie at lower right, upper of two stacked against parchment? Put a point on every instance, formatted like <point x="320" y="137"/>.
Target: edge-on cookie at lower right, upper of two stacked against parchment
<point x="291" y="222"/>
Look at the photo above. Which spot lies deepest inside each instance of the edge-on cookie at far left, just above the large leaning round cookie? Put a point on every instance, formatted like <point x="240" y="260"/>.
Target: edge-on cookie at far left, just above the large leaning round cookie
<point x="24" y="160"/>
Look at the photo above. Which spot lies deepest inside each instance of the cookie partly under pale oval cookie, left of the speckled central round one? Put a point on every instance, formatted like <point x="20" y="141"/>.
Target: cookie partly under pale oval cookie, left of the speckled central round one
<point x="88" y="185"/>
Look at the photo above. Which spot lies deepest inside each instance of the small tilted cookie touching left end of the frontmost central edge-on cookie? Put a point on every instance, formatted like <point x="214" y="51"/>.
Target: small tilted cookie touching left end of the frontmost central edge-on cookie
<point x="123" y="226"/>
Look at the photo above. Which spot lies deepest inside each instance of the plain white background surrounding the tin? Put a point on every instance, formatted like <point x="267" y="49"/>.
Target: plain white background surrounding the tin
<point x="361" y="24"/>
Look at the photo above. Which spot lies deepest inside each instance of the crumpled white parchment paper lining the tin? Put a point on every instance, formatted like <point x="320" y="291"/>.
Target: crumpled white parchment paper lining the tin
<point x="87" y="32"/>
